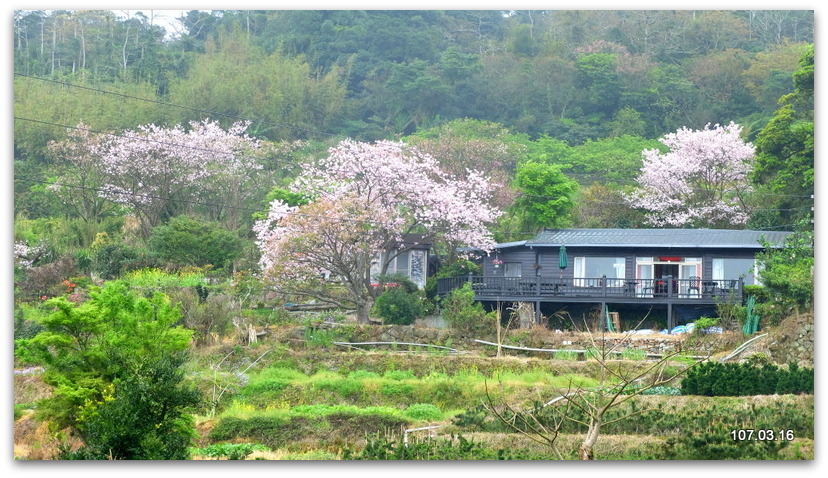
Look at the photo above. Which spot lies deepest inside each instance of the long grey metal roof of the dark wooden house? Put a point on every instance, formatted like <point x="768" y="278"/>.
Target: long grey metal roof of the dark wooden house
<point x="700" y="238"/>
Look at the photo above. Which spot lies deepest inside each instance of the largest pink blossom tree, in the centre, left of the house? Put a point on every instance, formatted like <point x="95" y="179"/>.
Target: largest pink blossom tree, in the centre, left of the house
<point x="365" y="198"/>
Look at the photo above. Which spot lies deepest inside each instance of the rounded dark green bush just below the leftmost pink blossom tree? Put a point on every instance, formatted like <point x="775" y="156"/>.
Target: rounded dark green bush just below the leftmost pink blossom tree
<point x="194" y="242"/>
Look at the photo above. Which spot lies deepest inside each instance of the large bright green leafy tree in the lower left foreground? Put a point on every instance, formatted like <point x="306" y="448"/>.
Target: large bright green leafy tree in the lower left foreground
<point x="115" y="353"/>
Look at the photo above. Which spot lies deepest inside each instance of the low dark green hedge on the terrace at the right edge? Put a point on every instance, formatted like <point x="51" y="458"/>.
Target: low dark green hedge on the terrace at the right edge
<point x="734" y="379"/>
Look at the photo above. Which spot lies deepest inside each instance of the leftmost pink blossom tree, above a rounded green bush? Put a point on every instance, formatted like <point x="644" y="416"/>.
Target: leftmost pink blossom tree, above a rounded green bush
<point x="156" y="171"/>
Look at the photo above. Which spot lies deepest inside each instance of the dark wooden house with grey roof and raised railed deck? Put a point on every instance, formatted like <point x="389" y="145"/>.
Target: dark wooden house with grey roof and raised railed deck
<point x="684" y="270"/>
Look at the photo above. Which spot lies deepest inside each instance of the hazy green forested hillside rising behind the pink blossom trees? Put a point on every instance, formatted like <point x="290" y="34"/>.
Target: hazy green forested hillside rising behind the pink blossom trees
<point x="602" y="85"/>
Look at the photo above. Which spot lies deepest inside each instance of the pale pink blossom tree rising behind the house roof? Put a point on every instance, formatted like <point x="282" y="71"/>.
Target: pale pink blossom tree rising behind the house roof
<point x="702" y="181"/>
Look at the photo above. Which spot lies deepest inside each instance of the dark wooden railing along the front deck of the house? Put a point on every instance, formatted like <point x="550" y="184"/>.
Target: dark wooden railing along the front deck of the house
<point x="601" y="287"/>
